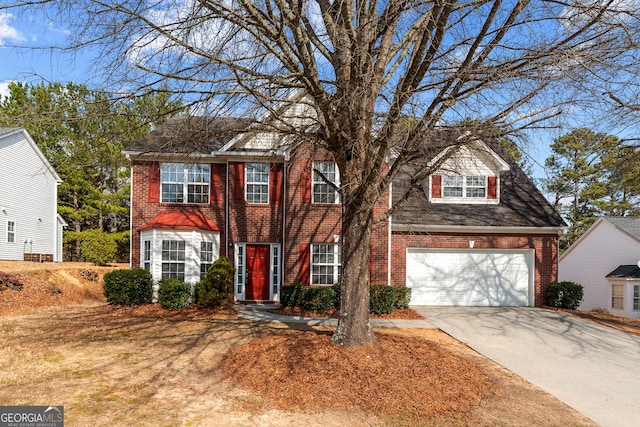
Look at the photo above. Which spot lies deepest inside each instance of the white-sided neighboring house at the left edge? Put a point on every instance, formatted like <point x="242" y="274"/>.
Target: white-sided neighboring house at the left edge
<point x="30" y="227"/>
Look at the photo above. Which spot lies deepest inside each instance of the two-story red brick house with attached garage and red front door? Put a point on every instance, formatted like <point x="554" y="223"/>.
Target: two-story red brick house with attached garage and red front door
<point x="479" y="233"/>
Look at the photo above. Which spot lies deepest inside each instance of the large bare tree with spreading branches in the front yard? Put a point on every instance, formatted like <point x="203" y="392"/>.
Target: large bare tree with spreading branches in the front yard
<point x="367" y="65"/>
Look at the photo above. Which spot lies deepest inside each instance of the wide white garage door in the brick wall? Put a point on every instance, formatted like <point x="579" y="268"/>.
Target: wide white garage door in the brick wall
<point x="471" y="277"/>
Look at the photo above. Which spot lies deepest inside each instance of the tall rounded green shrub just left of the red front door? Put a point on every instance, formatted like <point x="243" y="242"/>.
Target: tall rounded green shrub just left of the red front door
<point x="217" y="286"/>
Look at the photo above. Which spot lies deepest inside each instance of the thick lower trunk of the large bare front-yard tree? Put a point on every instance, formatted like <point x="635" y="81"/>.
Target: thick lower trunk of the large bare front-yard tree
<point x="354" y="323"/>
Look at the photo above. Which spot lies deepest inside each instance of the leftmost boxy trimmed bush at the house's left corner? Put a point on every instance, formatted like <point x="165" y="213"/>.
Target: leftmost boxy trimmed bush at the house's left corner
<point x="128" y="287"/>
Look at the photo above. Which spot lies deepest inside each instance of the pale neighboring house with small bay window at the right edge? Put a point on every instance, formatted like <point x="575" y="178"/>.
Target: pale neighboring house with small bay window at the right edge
<point x="602" y="261"/>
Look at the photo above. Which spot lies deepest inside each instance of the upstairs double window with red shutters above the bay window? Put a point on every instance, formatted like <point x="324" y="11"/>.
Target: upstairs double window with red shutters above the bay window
<point x="179" y="180"/>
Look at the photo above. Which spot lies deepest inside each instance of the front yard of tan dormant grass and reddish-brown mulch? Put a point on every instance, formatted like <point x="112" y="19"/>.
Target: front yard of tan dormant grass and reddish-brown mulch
<point x="62" y="345"/>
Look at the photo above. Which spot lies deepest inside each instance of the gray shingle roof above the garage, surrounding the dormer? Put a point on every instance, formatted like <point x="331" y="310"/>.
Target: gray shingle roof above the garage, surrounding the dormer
<point x="521" y="203"/>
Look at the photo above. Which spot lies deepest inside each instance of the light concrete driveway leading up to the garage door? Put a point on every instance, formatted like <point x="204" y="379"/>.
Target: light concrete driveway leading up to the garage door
<point x="593" y="369"/>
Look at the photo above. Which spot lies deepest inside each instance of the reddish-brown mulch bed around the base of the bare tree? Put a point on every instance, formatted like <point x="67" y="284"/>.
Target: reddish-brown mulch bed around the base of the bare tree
<point x="399" y="375"/>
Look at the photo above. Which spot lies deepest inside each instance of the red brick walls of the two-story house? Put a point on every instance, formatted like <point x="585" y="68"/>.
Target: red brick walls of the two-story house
<point x="293" y="222"/>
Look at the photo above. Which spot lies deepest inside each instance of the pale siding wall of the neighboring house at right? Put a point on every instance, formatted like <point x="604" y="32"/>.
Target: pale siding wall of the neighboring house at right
<point x="600" y="251"/>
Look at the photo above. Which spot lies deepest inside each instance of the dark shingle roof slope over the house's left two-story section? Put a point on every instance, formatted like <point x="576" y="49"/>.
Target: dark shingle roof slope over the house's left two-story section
<point x="190" y="135"/>
